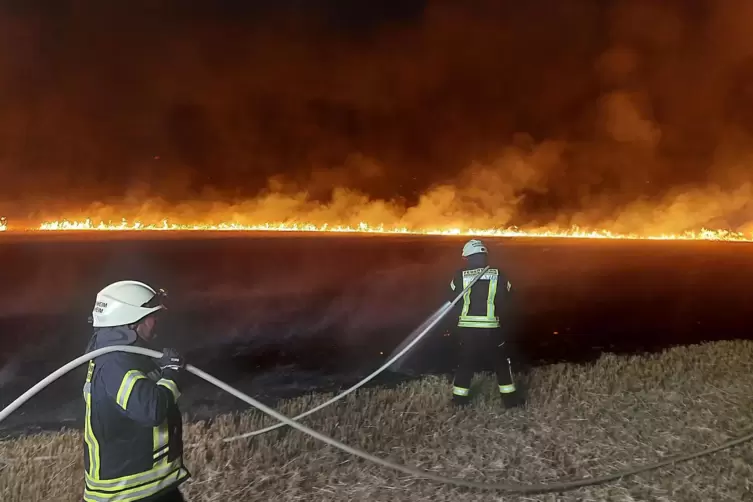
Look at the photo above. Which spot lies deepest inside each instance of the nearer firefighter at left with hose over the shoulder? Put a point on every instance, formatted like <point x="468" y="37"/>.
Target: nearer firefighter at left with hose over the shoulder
<point x="133" y="445"/>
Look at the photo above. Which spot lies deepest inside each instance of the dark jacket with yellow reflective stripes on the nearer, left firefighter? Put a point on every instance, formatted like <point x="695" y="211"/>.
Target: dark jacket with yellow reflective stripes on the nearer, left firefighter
<point x="133" y="446"/>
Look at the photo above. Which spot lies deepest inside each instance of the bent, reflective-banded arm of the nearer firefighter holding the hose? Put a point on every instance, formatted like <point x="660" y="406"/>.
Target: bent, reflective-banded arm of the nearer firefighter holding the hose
<point x="141" y="399"/>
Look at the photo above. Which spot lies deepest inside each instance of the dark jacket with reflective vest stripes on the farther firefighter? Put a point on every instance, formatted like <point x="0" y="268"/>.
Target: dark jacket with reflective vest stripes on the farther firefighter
<point x="488" y="299"/>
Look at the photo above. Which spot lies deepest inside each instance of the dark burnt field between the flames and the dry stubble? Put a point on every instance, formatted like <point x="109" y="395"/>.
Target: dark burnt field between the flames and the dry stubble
<point x="284" y="314"/>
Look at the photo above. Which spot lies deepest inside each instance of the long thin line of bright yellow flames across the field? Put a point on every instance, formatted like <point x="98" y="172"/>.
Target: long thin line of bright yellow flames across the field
<point x="364" y="228"/>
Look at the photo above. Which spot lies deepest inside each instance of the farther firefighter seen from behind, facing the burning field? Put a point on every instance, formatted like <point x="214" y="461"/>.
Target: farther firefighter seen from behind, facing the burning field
<point x="478" y="323"/>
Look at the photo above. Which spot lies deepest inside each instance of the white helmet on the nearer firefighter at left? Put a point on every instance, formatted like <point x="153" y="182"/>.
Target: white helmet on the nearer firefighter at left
<point x="125" y="302"/>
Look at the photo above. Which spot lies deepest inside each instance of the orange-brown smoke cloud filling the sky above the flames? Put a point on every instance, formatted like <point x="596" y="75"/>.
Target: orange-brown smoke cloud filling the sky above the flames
<point x="632" y="115"/>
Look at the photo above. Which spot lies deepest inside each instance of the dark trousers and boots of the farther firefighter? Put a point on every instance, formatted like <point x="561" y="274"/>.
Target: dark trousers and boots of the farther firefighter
<point x="474" y="343"/>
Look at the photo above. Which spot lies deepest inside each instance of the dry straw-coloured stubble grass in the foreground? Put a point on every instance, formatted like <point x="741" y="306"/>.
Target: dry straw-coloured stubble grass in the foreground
<point x="580" y="421"/>
